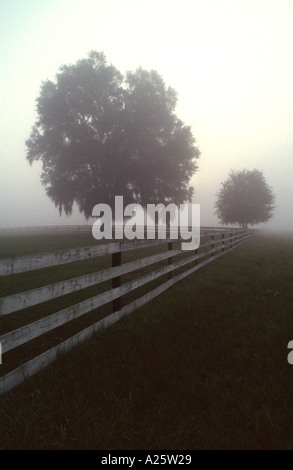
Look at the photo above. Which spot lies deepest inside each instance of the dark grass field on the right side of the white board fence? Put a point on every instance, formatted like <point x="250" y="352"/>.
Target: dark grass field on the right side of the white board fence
<point x="203" y="366"/>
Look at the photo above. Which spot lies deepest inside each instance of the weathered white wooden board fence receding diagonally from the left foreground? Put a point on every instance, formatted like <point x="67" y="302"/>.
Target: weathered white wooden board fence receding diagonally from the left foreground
<point x="214" y="243"/>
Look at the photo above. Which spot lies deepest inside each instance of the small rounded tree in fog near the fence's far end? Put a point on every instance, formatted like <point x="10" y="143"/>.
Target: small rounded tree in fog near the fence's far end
<point x="245" y="198"/>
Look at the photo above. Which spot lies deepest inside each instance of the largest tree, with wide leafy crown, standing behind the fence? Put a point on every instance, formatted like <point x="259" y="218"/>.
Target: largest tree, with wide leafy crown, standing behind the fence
<point x="99" y="134"/>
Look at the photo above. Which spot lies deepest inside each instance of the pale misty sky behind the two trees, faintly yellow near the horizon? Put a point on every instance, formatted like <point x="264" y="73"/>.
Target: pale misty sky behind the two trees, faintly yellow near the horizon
<point x="230" y="61"/>
